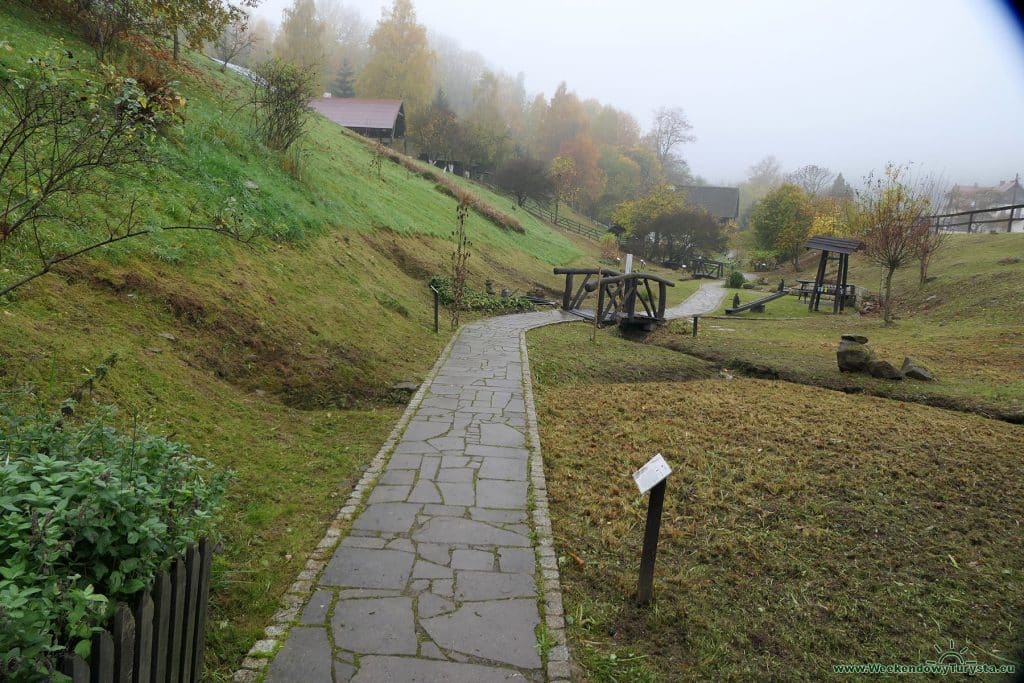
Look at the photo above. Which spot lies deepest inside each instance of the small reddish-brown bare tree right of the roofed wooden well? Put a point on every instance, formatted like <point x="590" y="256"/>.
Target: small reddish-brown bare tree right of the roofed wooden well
<point x="891" y="207"/>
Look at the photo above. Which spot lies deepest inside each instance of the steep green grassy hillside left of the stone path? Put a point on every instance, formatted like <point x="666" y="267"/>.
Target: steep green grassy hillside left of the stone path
<point x="274" y="359"/>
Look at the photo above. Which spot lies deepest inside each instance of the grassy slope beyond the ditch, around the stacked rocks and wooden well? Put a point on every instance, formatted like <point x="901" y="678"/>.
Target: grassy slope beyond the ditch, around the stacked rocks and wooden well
<point x="965" y="324"/>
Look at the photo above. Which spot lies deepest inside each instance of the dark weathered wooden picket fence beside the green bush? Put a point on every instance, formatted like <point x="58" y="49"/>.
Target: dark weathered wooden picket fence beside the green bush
<point x="160" y="637"/>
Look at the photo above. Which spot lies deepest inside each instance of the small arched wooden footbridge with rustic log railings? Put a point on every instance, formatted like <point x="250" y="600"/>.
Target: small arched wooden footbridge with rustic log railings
<point x="618" y="296"/>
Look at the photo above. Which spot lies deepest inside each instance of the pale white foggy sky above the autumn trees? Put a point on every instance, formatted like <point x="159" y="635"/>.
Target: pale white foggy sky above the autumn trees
<point x="849" y="87"/>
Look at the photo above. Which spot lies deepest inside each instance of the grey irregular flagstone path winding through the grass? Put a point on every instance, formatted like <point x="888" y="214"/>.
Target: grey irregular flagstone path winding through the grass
<point x="440" y="577"/>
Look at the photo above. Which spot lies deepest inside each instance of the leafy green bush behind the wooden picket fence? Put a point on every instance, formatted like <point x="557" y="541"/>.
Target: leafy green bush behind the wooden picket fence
<point x="90" y="518"/>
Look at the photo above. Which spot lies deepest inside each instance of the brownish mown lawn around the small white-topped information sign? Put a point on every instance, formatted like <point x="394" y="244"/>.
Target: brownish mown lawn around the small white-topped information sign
<point x="803" y="528"/>
